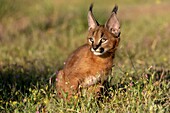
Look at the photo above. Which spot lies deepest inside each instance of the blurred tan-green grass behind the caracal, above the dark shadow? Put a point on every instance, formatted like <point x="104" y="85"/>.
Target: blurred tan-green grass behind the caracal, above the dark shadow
<point x="46" y="30"/>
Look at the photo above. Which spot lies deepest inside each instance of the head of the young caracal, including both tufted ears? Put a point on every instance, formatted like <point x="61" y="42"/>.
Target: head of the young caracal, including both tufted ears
<point x="103" y="38"/>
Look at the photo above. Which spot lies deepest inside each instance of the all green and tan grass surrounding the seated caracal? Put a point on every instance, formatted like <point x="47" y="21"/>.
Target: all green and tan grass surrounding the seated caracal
<point x="37" y="36"/>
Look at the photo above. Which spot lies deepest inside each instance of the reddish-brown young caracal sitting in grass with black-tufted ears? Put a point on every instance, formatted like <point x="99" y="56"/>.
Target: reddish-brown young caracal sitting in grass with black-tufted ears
<point x="90" y="64"/>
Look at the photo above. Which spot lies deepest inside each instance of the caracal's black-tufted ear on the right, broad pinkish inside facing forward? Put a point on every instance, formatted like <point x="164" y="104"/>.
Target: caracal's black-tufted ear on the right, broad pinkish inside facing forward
<point x="112" y="23"/>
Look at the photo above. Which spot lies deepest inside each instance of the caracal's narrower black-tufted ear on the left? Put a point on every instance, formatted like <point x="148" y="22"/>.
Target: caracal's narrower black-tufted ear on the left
<point x="92" y="23"/>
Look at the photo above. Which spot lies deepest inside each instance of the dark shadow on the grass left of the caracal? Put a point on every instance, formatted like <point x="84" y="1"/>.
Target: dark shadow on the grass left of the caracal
<point x="16" y="79"/>
